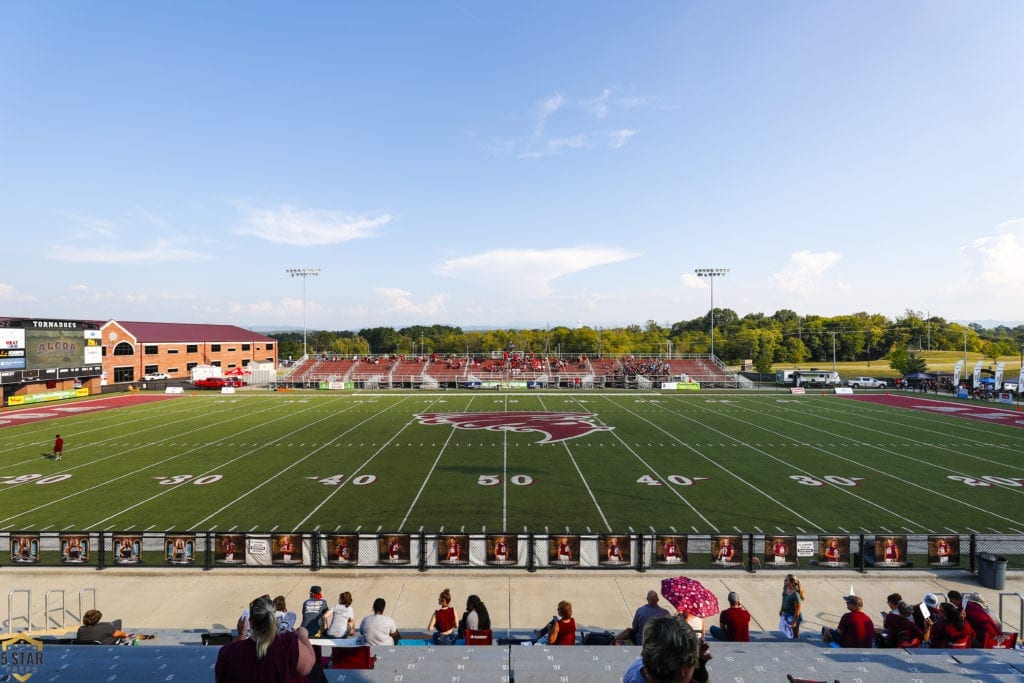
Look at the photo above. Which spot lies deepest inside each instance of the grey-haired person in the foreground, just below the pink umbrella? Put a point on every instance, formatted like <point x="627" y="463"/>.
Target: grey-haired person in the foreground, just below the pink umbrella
<point x="672" y="654"/>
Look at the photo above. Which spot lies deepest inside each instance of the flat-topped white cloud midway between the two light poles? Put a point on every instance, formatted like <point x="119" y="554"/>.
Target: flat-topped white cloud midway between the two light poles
<point x="530" y="272"/>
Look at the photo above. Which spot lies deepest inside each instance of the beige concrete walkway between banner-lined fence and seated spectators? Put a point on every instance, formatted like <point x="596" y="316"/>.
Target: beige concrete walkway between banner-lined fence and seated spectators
<point x="193" y="600"/>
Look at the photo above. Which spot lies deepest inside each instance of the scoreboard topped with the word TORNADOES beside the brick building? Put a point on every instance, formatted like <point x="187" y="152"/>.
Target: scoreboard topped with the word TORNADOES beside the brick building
<point x="37" y="351"/>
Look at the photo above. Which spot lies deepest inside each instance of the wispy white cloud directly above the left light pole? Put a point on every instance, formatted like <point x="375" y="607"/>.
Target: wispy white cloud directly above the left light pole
<point x="308" y="228"/>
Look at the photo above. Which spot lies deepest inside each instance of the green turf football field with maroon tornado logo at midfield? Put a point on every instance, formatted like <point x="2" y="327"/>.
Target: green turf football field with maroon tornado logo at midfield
<point x="585" y="462"/>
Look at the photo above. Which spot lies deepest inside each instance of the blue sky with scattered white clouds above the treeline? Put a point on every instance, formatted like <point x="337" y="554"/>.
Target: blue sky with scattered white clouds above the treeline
<point x="510" y="164"/>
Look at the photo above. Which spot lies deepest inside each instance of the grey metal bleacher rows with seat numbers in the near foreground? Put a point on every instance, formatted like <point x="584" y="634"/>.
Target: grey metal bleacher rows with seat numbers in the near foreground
<point x="750" y="663"/>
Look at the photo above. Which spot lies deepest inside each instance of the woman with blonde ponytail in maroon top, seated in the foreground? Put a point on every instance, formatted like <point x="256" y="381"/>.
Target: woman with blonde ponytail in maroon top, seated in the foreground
<point x="267" y="657"/>
